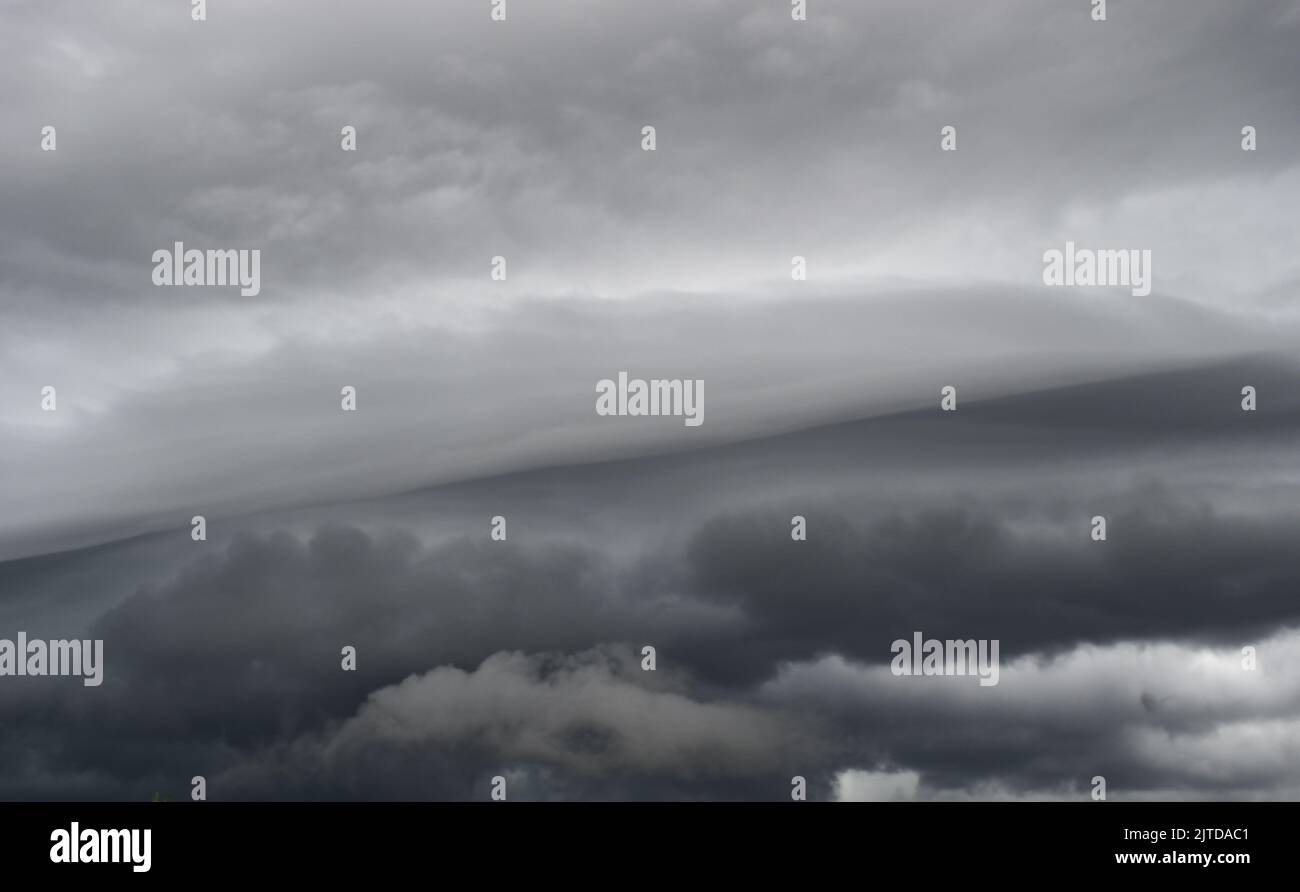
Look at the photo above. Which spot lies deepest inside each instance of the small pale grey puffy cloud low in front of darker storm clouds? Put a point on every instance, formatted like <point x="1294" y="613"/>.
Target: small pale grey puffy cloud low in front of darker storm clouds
<point x="588" y="715"/>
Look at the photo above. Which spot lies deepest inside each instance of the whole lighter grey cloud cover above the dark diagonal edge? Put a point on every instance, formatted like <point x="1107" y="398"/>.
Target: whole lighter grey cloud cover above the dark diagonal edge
<point x="778" y="138"/>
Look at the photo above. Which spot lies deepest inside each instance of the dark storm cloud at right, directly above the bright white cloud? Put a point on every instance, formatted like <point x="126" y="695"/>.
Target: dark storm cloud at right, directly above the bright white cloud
<point x="1171" y="571"/>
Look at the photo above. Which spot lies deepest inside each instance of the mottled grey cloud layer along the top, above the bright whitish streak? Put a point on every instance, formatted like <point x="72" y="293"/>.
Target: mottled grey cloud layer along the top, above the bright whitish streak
<point x="523" y="140"/>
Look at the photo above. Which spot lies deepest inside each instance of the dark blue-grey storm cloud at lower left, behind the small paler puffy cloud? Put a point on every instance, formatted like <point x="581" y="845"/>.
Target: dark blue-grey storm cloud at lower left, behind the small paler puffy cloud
<point x="241" y="652"/>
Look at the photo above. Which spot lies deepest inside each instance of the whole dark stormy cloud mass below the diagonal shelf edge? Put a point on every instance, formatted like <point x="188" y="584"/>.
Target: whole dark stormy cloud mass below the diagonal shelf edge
<point x="233" y="665"/>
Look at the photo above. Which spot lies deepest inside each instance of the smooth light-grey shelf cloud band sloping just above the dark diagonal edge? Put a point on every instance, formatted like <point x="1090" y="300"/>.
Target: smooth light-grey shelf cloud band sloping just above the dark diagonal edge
<point x="248" y="434"/>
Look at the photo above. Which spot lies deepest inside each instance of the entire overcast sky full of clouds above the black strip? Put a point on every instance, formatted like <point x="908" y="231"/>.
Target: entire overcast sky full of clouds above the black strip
<point x="522" y="659"/>
